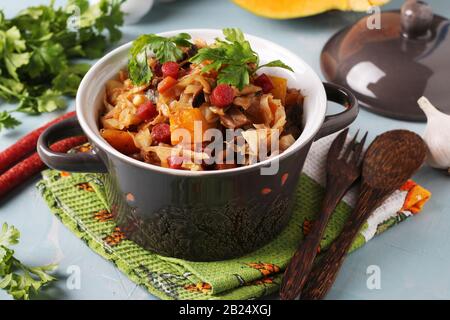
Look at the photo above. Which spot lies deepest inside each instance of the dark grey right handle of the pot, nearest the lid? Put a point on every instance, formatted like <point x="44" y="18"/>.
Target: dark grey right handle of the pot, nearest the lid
<point x="336" y="122"/>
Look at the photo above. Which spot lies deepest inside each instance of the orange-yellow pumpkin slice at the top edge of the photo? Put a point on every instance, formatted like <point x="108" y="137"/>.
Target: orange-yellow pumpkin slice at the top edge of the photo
<point x="287" y="9"/>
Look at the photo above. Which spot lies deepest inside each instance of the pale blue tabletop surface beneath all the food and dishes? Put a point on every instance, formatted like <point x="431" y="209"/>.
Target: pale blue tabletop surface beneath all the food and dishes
<point x="414" y="257"/>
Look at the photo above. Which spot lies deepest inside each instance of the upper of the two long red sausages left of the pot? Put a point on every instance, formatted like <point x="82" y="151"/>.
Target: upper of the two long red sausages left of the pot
<point x="26" y="145"/>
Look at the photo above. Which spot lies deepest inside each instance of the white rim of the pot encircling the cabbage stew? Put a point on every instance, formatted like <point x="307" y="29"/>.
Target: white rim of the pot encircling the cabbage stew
<point x="303" y="140"/>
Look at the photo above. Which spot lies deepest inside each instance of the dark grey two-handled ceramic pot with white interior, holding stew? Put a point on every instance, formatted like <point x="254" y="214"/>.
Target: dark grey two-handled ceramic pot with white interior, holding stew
<point x="207" y="215"/>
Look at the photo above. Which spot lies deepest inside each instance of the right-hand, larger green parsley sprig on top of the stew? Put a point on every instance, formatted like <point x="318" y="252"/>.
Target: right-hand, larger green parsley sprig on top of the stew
<point x="233" y="58"/>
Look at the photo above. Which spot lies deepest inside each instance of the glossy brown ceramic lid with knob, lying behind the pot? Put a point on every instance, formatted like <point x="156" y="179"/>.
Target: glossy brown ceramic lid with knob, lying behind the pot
<point x="391" y="67"/>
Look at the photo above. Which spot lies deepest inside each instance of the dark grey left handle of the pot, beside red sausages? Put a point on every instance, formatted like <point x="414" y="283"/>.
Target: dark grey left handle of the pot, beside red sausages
<point x="73" y="162"/>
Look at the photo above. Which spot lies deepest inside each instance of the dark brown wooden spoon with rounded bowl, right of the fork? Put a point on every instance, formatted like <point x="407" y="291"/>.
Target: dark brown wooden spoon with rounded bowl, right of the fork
<point x="388" y="163"/>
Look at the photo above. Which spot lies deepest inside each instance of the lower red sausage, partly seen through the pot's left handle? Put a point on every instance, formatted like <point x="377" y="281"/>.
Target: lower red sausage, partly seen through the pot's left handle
<point x="27" y="168"/>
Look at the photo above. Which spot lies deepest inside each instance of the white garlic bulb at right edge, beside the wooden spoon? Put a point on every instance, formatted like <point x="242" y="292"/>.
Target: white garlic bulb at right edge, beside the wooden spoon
<point x="437" y="135"/>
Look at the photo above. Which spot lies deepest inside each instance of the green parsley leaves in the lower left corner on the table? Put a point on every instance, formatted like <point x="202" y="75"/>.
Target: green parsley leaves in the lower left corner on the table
<point x="16" y="278"/>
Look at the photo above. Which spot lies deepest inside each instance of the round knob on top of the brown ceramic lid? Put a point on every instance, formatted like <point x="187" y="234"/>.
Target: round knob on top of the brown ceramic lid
<point x="417" y="17"/>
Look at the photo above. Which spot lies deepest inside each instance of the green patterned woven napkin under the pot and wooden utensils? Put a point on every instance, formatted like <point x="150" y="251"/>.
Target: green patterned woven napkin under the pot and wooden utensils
<point x="78" y="200"/>
